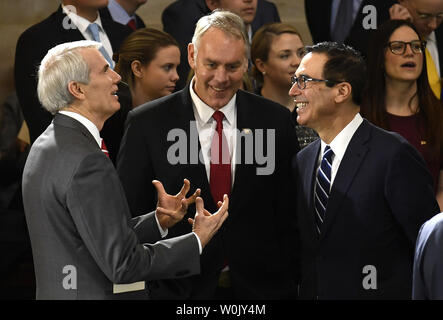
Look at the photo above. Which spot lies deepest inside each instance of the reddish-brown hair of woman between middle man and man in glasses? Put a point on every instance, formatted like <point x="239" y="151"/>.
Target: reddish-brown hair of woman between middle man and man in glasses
<point x="262" y="40"/>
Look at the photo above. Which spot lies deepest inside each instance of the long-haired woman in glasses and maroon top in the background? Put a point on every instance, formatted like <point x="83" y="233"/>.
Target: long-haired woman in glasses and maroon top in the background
<point x="398" y="96"/>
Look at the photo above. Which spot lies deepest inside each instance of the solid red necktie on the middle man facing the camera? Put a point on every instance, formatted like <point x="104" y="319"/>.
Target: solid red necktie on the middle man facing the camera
<point x="220" y="172"/>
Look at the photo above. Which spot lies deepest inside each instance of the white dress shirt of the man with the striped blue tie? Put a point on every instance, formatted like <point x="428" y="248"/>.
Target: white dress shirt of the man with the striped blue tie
<point x="340" y="144"/>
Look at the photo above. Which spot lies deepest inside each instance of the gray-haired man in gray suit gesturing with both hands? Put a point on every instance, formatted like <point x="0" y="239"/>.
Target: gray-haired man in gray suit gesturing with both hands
<point x="85" y="246"/>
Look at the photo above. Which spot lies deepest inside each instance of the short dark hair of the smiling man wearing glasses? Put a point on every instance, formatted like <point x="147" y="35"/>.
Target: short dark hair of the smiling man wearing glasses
<point x="345" y="64"/>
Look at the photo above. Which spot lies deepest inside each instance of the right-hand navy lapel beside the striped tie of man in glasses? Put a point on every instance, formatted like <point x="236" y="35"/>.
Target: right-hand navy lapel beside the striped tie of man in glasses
<point x="349" y="166"/>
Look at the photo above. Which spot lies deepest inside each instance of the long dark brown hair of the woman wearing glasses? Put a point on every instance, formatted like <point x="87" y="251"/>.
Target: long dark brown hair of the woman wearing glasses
<point x="374" y="98"/>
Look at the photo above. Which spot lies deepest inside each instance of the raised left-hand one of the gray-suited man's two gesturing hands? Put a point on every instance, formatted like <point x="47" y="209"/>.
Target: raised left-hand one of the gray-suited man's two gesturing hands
<point x="172" y="209"/>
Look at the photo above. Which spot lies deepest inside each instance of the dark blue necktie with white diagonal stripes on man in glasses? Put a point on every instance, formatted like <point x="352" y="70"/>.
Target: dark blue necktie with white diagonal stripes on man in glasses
<point x="322" y="187"/>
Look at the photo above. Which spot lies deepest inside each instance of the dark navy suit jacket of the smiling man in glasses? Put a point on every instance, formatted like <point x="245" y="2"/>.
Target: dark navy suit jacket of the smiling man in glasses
<point x="380" y="197"/>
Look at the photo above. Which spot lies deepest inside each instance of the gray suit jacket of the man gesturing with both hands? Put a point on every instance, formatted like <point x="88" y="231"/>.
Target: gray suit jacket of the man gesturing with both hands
<point x="77" y="215"/>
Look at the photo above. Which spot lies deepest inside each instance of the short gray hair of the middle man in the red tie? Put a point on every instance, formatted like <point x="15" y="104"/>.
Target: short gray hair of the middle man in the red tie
<point x="228" y="22"/>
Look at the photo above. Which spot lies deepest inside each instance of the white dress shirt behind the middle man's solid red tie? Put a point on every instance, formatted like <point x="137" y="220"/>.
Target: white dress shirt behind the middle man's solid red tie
<point x="206" y="125"/>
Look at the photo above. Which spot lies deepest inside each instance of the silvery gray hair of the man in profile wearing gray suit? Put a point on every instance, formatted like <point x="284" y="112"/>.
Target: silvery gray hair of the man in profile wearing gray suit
<point x="61" y="65"/>
